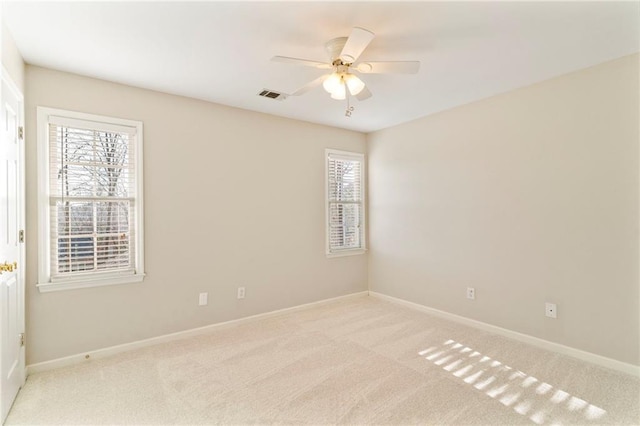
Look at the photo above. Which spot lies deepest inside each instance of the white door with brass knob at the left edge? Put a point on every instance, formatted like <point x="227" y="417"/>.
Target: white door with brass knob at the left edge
<point x="11" y="247"/>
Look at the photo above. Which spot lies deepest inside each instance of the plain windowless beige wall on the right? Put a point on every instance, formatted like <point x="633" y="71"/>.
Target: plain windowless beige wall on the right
<point x="530" y="196"/>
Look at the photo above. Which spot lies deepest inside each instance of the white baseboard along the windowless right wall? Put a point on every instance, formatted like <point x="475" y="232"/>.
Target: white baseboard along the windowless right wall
<point x="525" y="338"/>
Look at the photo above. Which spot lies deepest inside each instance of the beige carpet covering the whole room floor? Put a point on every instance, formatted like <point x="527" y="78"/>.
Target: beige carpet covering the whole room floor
<point x="357" y="361"/>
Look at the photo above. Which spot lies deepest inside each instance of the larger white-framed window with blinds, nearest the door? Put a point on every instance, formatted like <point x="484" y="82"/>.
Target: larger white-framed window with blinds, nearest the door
<point x="90" y="200"/>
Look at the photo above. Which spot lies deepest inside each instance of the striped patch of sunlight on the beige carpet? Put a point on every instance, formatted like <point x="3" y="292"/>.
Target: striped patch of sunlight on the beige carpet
<point x="528" y="396"/>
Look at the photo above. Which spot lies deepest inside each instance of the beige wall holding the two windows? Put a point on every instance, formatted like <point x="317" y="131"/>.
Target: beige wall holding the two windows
<point x="232" y="198"/>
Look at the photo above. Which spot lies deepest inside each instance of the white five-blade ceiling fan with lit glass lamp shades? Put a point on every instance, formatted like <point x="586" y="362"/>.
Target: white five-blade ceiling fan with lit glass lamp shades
<point x="344" y="53"/>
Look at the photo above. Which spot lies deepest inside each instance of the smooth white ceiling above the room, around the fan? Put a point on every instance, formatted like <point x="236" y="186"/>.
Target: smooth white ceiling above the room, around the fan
<point x="221" y="51"/>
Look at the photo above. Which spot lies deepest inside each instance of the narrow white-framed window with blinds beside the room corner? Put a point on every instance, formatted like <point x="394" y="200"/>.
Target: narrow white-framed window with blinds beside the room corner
<point x="345" y="203"/>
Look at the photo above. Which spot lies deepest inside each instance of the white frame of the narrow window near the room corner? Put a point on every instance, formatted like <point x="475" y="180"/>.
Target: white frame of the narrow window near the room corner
<point x="356" y="156"/>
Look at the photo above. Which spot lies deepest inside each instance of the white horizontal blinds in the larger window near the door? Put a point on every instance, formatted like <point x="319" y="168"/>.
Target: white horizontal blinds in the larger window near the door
<point x="92" y="198"/>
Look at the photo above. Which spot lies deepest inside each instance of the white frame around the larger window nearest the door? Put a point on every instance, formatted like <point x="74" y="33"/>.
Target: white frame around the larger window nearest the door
<point x="84" y="279"/>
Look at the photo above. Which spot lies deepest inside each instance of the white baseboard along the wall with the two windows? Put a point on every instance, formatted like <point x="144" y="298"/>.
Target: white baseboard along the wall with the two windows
<point x="112" y="350"/>
